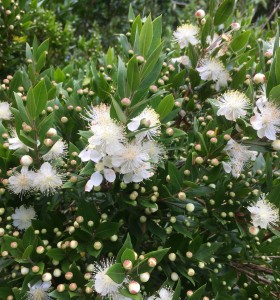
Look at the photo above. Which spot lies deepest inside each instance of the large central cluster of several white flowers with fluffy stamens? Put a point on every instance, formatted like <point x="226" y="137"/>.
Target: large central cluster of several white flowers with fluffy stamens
<point x="113" y="152"/>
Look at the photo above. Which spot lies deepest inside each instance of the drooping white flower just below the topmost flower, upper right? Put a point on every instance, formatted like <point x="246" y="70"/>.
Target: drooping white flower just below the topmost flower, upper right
<point x="213" y="69"/>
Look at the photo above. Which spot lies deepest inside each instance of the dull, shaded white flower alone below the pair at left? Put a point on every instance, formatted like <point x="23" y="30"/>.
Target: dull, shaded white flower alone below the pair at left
<point x="23" y="216"/>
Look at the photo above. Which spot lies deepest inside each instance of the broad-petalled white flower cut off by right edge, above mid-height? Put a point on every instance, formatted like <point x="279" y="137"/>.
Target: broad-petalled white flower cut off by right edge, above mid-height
<point x="266" y="119"/>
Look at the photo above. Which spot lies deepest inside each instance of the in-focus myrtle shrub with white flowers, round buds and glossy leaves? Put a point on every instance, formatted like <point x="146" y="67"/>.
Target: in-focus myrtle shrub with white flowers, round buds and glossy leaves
<point x="147" y="172"/>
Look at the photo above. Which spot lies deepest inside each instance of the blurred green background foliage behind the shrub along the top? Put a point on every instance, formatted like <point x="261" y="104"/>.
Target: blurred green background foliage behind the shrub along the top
<point x="79" y="29"/>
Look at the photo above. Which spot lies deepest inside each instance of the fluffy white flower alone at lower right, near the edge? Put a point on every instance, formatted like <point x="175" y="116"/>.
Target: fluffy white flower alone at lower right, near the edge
<point x="264" y="213"/>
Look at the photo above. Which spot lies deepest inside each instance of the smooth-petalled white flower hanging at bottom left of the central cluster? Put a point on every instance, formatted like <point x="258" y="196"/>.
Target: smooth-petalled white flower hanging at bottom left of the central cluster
<point x="102" y="169"/>
